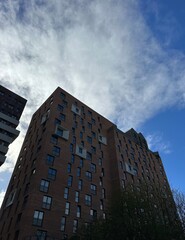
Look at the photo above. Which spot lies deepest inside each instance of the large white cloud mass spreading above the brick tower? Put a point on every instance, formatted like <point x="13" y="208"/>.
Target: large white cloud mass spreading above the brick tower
<point x="103" y="52"/>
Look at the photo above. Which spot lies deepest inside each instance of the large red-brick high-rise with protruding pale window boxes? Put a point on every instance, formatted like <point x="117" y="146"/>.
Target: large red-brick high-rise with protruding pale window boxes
<point x="71" y="162"/>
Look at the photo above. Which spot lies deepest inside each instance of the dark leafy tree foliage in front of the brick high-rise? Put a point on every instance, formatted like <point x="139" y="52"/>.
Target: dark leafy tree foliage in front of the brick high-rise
<point x="137" y="215"/>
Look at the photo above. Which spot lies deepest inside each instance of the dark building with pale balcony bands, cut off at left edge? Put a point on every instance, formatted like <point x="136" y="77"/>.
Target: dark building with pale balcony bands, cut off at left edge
<point x="11" y="108"/>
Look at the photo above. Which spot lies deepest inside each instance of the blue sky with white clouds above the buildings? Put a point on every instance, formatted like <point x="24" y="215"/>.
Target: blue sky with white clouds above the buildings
<point x="123" y="58"/>
